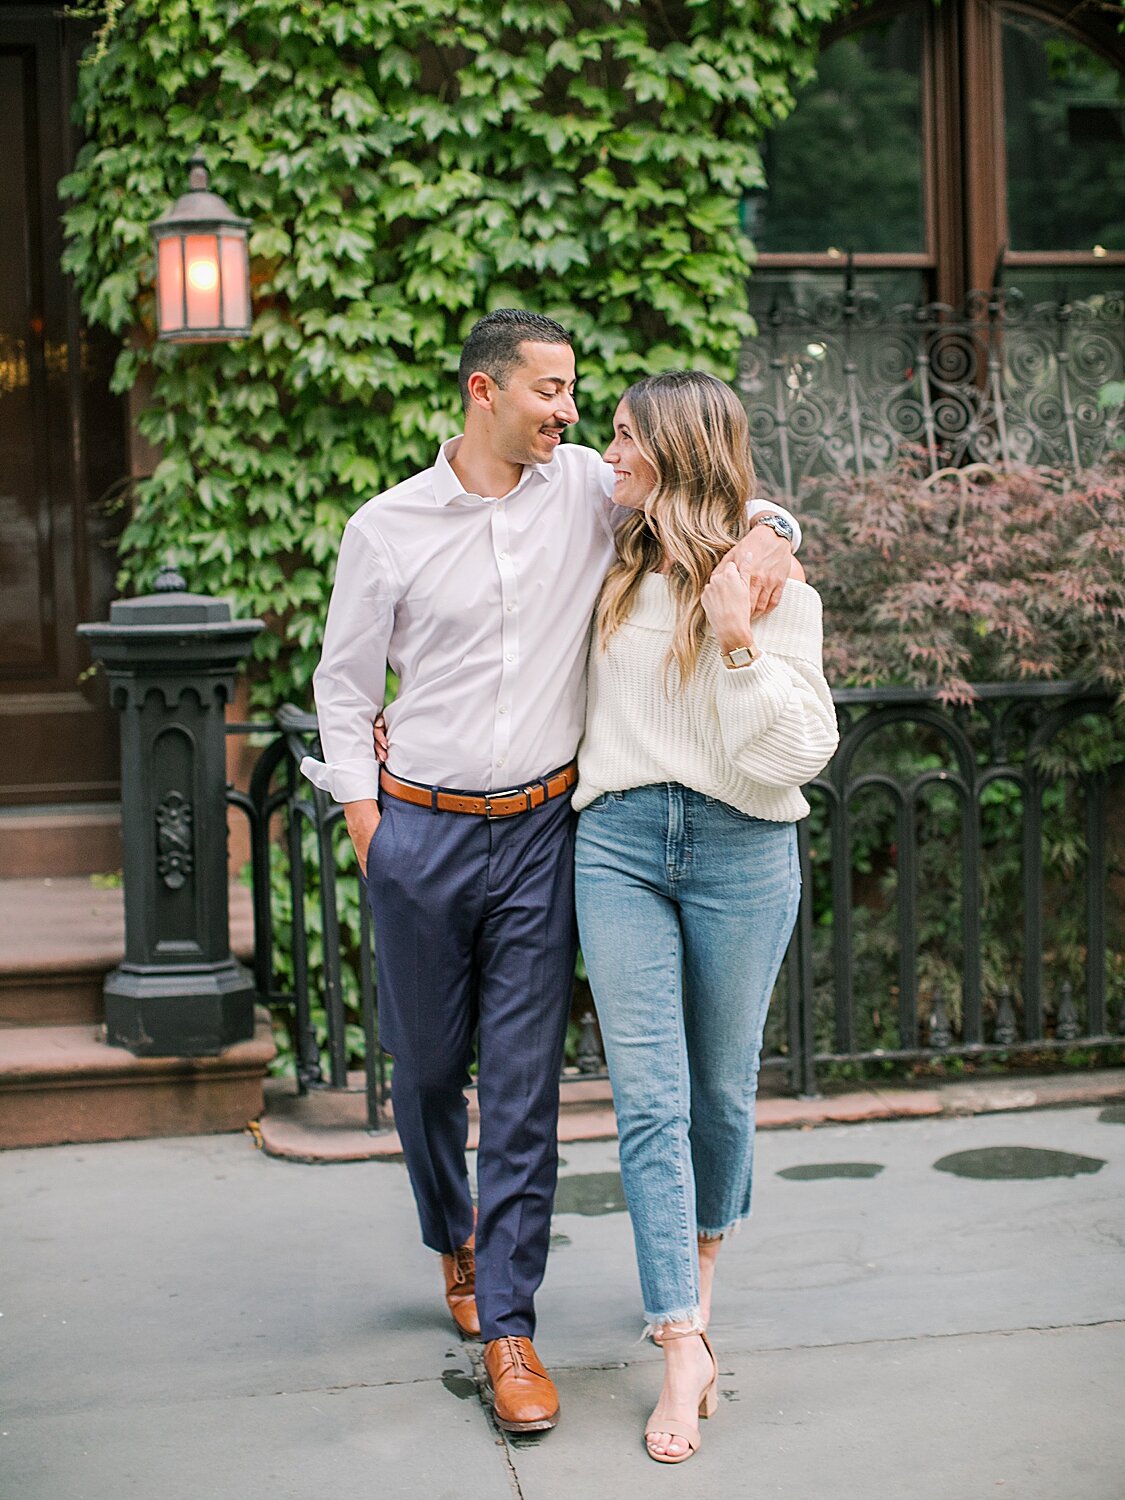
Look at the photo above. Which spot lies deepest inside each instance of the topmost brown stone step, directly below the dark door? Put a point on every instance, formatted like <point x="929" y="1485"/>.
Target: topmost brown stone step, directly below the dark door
<point x="61" y="841"/>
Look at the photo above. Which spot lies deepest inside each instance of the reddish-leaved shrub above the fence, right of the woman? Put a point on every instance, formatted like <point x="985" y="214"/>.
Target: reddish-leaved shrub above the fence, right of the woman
<point x="973" y="577"/>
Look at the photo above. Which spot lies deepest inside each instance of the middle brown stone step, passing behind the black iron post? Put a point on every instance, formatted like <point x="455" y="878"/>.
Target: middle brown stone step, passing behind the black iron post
<point x="61" y="937"/>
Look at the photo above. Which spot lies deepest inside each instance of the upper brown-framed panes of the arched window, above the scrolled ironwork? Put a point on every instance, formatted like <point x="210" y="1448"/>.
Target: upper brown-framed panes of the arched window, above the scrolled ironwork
<point x="943" y="140"/>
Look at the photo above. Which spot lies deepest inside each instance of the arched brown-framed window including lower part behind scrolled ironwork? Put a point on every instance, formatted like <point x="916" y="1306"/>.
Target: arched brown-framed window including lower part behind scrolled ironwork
<point x="941" y="242"/>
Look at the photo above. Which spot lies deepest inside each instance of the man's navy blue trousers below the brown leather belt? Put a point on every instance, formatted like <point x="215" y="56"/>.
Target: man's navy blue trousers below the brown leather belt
<point x="475" y="934"/>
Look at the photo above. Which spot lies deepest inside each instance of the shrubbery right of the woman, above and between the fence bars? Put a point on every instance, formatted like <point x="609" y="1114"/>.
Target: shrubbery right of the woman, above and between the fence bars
<point x="970" y="578"/>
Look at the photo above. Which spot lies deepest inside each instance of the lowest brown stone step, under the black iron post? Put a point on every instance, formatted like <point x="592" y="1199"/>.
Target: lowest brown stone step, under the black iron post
<point x="65" y="1085"/>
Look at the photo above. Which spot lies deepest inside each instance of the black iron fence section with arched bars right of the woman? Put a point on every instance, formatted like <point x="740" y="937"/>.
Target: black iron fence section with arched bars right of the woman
<point x="958" y="898"/>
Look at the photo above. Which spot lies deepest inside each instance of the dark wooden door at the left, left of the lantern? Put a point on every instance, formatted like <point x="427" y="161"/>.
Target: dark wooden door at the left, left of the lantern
<point x="62" y="443"/>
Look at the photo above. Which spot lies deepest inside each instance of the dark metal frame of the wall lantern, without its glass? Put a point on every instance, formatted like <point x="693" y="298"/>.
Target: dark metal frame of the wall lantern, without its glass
<point x="202" y="214"/>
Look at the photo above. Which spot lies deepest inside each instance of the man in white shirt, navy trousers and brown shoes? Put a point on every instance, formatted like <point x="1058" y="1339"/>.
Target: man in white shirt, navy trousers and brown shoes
<point x="478" y="580"/>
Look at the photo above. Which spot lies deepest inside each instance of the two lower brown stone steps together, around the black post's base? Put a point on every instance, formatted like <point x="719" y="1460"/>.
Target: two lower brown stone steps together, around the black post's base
<point x="59" y="1081"/>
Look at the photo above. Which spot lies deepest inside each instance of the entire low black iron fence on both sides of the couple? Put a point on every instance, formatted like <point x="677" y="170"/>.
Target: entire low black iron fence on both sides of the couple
<point x="958" y="896"/>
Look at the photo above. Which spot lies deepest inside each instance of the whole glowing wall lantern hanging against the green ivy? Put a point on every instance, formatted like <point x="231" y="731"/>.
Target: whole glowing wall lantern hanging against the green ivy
<point x="203" y="268"/>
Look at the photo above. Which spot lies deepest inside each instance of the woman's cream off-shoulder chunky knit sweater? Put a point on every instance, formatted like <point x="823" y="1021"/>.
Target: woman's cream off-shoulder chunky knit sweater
<point x="749" y="736"/>
